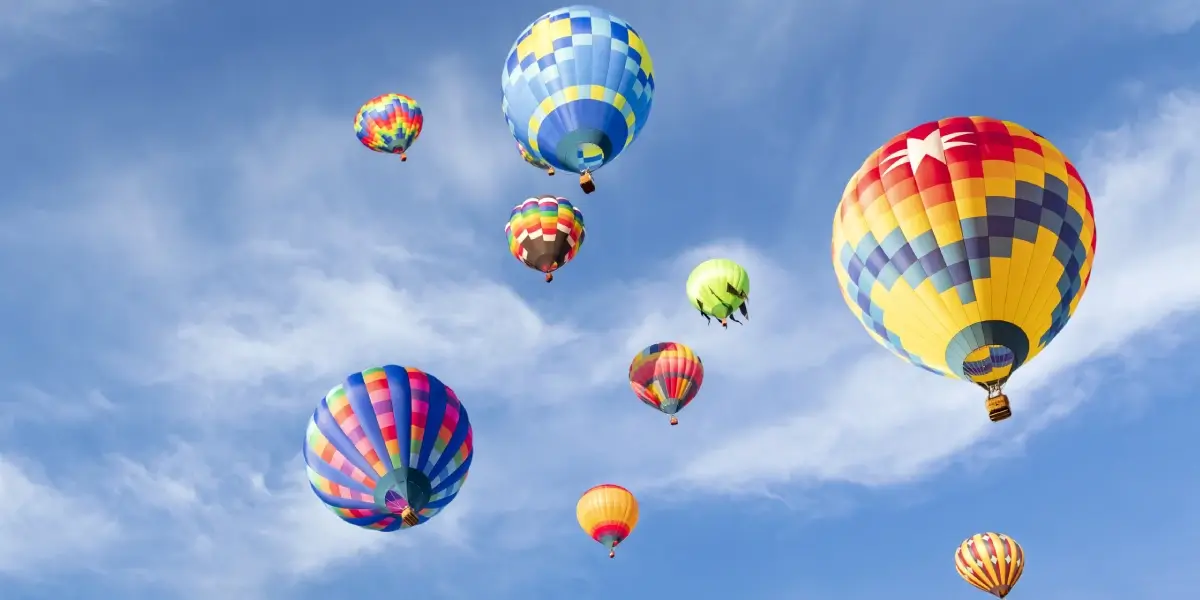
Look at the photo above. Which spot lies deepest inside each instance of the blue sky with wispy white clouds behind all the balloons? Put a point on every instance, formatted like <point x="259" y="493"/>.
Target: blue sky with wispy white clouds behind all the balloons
<point x="196" y="249"/>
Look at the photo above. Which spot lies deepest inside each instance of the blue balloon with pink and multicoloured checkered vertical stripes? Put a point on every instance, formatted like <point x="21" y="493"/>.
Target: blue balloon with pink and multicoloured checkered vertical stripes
<point x="389" y="448"/>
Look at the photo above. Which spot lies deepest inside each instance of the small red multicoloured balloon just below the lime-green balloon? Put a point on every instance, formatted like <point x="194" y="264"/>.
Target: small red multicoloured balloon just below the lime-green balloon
<point x="667" y="376"/>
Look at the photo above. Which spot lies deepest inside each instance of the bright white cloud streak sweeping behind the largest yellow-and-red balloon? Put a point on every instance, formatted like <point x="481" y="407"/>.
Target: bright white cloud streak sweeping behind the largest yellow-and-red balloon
<point x="1144" y="178"/>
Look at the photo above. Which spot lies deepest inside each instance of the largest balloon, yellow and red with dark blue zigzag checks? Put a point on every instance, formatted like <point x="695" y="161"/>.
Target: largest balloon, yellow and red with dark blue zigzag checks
<point x="964" y="247"/>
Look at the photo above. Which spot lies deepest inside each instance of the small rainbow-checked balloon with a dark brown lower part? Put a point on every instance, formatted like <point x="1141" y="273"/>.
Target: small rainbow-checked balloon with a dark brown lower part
<point x="545" y="233"/>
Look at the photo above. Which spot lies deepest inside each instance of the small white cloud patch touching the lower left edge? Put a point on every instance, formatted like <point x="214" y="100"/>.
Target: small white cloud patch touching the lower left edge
<point x="43" y="527"/>
